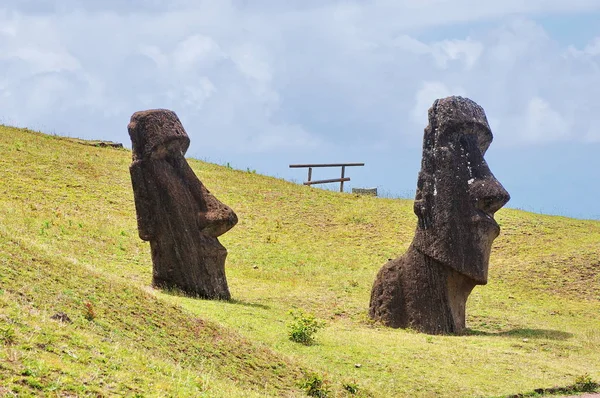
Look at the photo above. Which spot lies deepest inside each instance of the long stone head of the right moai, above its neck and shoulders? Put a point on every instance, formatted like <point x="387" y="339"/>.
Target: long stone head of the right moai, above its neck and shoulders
<point x="457" y="194"/>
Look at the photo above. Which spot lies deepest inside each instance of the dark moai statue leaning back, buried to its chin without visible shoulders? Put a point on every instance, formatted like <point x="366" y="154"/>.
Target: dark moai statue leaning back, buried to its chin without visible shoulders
<point x="175" y="211"/>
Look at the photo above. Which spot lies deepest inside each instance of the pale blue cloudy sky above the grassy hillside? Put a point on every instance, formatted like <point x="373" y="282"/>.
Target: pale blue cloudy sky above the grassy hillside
<point x="261" y="84"/>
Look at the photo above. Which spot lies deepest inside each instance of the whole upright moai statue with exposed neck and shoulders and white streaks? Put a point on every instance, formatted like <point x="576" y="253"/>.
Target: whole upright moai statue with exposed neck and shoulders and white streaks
<point x="457" y="195"/>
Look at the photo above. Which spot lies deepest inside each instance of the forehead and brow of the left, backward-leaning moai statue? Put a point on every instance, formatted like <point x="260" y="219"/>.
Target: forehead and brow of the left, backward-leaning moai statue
<point x="156" y="133"/>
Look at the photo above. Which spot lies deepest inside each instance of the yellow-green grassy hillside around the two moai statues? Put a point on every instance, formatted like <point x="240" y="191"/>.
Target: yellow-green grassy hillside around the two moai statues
<point x="68" y="243"/>
